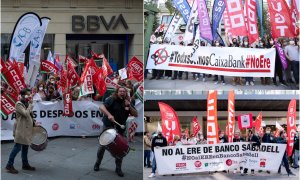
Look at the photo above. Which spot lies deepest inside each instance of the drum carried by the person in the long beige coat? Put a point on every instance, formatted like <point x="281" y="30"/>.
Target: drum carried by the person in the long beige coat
<point x="39" y="138"/>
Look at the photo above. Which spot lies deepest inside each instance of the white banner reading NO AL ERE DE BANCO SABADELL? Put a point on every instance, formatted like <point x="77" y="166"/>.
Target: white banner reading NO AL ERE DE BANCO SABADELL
<point x="218" y="157"/>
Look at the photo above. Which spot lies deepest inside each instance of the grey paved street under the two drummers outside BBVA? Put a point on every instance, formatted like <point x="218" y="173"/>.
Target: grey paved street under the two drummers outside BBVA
<point x="70" y="158"/>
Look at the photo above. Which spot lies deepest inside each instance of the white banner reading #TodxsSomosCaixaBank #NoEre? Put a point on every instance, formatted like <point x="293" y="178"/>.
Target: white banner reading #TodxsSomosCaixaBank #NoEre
<point x="228" y="61"/>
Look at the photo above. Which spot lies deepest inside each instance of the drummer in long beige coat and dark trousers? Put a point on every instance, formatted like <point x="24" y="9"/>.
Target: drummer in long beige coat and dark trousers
<point x="22" y="132"/>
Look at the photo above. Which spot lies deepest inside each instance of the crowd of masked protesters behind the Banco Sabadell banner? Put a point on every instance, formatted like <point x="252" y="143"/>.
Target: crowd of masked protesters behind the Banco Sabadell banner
<point x="158" y="140"/>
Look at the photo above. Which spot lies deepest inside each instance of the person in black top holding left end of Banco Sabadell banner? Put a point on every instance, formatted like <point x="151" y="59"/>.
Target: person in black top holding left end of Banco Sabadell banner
<point x="158" y="141"/>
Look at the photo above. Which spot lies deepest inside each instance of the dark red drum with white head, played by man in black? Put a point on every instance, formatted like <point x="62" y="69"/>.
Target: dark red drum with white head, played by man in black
<point x="116" y="144"/>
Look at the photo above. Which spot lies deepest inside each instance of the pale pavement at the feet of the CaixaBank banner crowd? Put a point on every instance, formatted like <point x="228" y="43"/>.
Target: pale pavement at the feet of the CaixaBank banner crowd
<point x="190" y="84"/>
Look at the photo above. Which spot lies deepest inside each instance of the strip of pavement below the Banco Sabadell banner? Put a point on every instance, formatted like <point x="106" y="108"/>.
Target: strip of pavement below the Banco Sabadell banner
<point x="224" y="176"/>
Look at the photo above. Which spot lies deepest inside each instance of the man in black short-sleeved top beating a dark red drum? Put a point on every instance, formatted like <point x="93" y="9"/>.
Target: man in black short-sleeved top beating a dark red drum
<point x="116" y="109"/>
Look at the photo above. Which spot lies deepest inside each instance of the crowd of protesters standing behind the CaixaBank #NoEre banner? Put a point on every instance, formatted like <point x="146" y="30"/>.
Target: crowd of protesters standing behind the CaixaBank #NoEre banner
<point x="287" y="77"/>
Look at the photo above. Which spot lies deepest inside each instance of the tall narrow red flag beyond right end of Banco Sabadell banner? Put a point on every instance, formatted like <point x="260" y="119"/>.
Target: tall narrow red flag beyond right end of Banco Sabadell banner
<point x="291" y="126"/>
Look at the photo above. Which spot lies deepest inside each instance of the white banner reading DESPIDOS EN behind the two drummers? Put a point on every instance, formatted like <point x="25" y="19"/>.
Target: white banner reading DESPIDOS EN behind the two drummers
<point x="87" y="119"/>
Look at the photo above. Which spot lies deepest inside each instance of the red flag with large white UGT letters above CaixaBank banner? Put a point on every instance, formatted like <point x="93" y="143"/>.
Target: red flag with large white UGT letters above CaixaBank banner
<point x="280" y="19"/>
